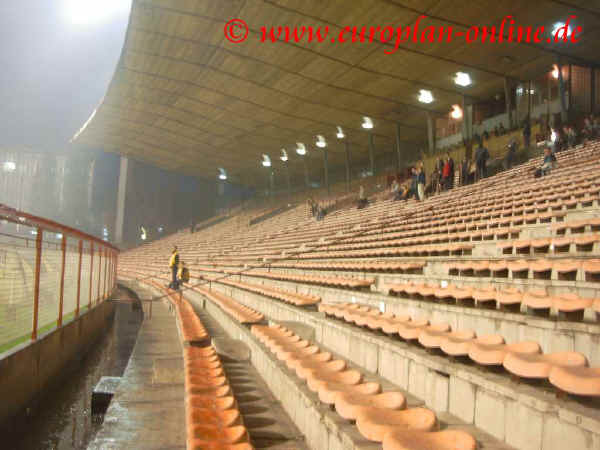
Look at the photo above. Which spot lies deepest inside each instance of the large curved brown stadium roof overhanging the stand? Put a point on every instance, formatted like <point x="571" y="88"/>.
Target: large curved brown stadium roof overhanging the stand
<point x="185" y="98"/>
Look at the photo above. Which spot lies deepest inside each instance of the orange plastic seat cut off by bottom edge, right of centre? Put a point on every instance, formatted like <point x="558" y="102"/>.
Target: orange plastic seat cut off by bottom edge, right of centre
<point x="438" y="440"/>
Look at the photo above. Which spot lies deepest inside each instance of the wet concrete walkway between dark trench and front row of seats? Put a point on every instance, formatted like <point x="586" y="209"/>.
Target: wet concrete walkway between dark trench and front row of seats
<point x="147" y="410"/>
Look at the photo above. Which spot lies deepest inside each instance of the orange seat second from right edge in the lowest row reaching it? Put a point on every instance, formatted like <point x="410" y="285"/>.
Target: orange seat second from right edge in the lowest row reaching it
<point x="534" y="365"/>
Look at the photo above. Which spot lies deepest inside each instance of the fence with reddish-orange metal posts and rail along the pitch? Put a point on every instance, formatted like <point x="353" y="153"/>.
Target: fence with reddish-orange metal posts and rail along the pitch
<point x="49" y="274"/>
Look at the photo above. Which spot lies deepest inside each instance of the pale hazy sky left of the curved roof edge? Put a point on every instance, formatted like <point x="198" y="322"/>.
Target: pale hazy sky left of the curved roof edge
<point x="58" y="57"/>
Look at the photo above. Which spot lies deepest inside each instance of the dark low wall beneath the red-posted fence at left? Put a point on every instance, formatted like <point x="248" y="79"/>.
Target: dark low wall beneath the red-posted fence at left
<point x="29" y="371"/>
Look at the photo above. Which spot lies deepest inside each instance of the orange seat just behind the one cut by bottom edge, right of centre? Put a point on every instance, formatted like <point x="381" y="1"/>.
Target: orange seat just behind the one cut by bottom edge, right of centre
<point x="375" y="423"/>
